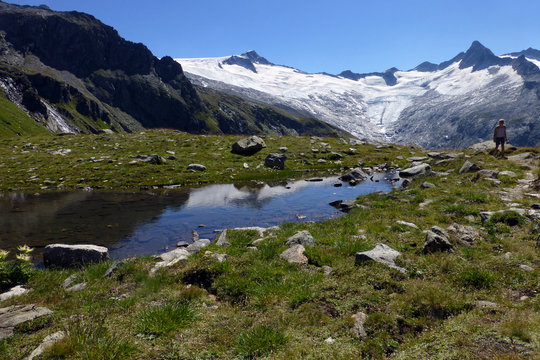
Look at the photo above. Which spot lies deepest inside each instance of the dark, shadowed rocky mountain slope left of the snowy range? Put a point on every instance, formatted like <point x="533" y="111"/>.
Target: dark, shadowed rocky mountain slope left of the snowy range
<point x="71" y="73"/>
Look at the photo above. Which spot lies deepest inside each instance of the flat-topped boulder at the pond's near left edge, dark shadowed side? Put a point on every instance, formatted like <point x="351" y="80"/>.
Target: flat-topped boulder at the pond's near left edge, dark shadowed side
<point x="62" y="255"/>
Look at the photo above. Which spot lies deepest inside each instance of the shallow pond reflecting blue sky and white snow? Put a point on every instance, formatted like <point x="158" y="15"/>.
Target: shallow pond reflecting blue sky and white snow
<point x="143" y="223"/>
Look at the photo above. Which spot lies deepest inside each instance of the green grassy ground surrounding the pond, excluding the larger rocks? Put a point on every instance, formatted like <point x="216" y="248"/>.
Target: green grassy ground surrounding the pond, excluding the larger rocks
<point x="256" y="305"/>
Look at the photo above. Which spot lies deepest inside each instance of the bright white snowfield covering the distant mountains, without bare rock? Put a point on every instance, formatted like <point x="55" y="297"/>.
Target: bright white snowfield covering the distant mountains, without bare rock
<point x="366" y="107"/>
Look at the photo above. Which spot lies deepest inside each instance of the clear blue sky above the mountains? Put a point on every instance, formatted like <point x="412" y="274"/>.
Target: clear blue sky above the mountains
<point x="316" y="35"/>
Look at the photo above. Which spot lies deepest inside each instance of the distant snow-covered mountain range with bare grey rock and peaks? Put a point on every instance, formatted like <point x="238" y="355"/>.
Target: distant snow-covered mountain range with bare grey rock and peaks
<point x="455" y="103"/>
